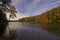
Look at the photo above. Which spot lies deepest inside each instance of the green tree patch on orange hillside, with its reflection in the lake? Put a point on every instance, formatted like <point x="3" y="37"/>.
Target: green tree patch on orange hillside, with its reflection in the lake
<point x="53" y="18"/>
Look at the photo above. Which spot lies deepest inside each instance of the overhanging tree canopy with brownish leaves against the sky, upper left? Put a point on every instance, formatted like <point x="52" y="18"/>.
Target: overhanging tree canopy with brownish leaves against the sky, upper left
<point x="5" y="6"/>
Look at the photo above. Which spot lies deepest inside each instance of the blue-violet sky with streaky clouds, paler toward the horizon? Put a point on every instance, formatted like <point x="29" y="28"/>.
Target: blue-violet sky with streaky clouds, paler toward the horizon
<point x="28" y="8"/>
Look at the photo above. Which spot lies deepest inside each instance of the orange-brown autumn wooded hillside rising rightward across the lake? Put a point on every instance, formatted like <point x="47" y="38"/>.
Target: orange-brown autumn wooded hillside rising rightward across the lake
<point x="42" y="18"/>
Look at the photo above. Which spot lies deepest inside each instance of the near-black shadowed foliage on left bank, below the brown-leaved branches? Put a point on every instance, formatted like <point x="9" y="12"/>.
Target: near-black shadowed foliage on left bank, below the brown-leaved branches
<point x="3" y="22"/>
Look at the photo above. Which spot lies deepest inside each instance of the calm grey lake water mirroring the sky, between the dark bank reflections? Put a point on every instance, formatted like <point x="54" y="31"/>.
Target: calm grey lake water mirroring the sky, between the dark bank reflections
<point x="29" y="31"/>
